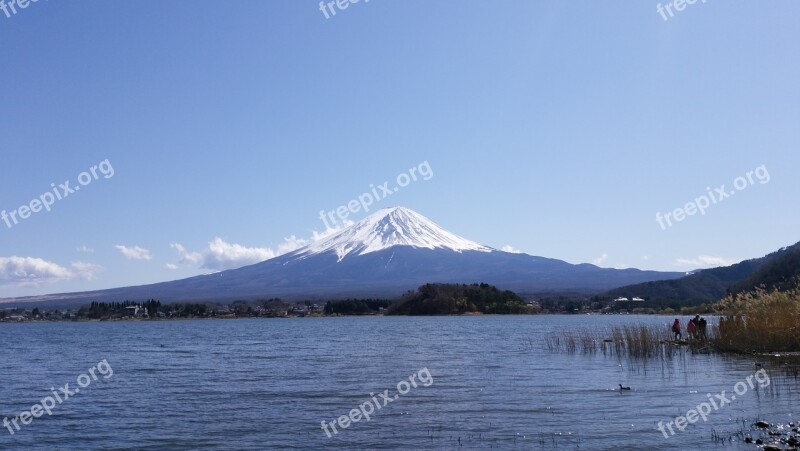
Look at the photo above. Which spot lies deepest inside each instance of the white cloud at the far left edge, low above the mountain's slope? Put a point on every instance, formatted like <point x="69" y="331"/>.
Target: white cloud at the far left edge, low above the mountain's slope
<point x="25" y="271"/>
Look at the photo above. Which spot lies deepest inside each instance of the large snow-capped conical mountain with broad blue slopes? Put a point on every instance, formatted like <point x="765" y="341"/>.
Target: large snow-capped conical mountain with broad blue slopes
<point x="384" y="255"/>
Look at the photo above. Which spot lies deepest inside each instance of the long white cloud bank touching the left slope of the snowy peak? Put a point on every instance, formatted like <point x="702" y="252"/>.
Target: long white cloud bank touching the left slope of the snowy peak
<point x="221" y="255"/>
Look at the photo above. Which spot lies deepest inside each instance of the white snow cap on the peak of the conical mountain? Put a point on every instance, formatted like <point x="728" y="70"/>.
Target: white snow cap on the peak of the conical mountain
<point x="388" y="227"/>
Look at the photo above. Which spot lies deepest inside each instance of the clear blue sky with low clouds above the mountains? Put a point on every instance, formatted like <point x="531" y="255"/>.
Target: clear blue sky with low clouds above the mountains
<point x="556" y="128"/>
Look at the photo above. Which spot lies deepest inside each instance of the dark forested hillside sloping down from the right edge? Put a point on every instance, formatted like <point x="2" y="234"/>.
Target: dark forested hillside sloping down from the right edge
<point x="779" y="270"/>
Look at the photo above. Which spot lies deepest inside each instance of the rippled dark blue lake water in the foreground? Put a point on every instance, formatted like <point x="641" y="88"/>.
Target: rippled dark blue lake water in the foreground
<point x="269" y="383"/>
